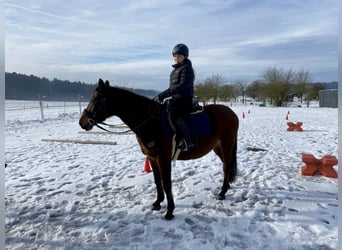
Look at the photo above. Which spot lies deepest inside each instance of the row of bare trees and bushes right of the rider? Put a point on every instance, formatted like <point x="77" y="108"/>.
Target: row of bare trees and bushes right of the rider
<point x="276" y="86"/>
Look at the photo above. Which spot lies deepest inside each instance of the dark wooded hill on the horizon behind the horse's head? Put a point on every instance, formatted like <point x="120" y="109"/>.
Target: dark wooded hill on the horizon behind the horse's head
<point x="29" y="87"/>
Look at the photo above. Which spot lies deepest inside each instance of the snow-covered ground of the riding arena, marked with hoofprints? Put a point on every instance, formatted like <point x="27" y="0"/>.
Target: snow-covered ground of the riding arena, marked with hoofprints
<point x="84" y="196"/>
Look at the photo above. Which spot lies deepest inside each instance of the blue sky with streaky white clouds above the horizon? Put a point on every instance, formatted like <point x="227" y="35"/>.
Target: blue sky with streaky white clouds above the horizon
<point x="130" y="42"/>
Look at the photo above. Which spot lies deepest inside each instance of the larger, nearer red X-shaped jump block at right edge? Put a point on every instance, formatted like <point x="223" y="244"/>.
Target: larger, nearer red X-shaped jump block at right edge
<point x="323" y="166"/>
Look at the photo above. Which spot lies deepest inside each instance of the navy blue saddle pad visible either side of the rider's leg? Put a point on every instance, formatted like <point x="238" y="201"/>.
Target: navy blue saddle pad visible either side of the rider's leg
<point x="198" y="123"/>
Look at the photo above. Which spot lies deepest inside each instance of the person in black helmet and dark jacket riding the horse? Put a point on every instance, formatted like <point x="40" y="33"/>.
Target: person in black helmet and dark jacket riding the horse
<point x="181" y="89"/>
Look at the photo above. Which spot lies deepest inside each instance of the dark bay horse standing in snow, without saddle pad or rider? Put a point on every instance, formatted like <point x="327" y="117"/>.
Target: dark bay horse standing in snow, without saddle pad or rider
<point x="143" y="116"/>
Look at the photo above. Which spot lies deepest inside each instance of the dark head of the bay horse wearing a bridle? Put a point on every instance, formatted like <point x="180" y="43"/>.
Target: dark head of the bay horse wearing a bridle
<point x="96" y="111"/>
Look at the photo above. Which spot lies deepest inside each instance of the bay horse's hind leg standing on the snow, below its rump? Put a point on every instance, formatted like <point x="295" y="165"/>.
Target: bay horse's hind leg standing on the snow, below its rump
<point x="228" y="156"/>
